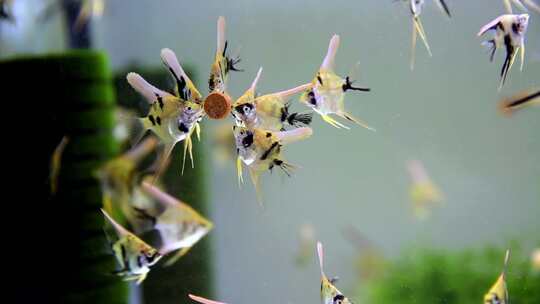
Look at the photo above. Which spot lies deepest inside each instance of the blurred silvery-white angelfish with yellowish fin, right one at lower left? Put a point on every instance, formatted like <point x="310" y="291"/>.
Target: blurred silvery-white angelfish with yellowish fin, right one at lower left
<point x="179" y="226"/>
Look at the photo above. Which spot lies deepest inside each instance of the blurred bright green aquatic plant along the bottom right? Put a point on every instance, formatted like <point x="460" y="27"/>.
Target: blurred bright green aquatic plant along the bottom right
<point x="443" y="276"/>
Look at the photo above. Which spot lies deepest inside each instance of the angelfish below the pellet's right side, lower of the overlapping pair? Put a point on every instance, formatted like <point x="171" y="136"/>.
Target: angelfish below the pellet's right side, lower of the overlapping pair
<point x="260" y="150"/>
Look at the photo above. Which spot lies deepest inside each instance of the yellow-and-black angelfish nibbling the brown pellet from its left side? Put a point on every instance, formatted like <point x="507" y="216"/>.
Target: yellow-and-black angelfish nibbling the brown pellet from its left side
<point x="172" y="118"/>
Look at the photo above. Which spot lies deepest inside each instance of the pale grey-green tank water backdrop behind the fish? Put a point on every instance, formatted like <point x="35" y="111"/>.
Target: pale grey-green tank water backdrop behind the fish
<point x="444" y="113"/>
